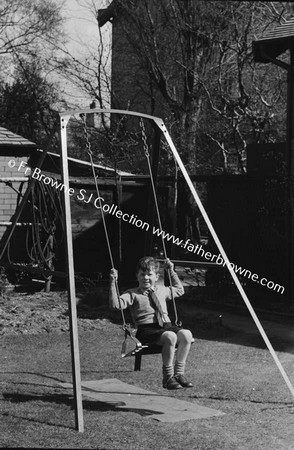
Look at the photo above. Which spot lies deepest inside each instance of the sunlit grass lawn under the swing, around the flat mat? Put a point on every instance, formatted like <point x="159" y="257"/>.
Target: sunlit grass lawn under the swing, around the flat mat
<point x="232" y="373"/>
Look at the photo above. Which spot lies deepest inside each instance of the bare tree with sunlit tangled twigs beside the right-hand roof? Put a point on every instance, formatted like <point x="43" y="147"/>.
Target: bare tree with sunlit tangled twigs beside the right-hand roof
<point x="247" y="102"/>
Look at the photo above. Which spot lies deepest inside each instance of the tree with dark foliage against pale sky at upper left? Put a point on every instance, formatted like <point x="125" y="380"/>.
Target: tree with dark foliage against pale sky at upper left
<point x="29" y="33"/>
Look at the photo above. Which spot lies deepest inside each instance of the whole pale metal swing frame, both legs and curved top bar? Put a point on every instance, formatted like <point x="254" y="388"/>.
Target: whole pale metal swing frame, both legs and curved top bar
<point x="76" y="373"/>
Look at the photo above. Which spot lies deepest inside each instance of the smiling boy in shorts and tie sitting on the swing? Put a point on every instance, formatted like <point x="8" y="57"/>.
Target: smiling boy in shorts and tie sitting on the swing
<point x="150" y="315"/>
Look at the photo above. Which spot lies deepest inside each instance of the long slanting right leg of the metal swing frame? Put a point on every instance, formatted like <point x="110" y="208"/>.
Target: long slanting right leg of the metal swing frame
<point x="223" y="254"/>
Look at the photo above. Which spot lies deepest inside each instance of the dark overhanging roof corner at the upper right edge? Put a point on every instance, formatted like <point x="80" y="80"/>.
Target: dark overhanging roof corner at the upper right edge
<point x="274" y="42"/>
